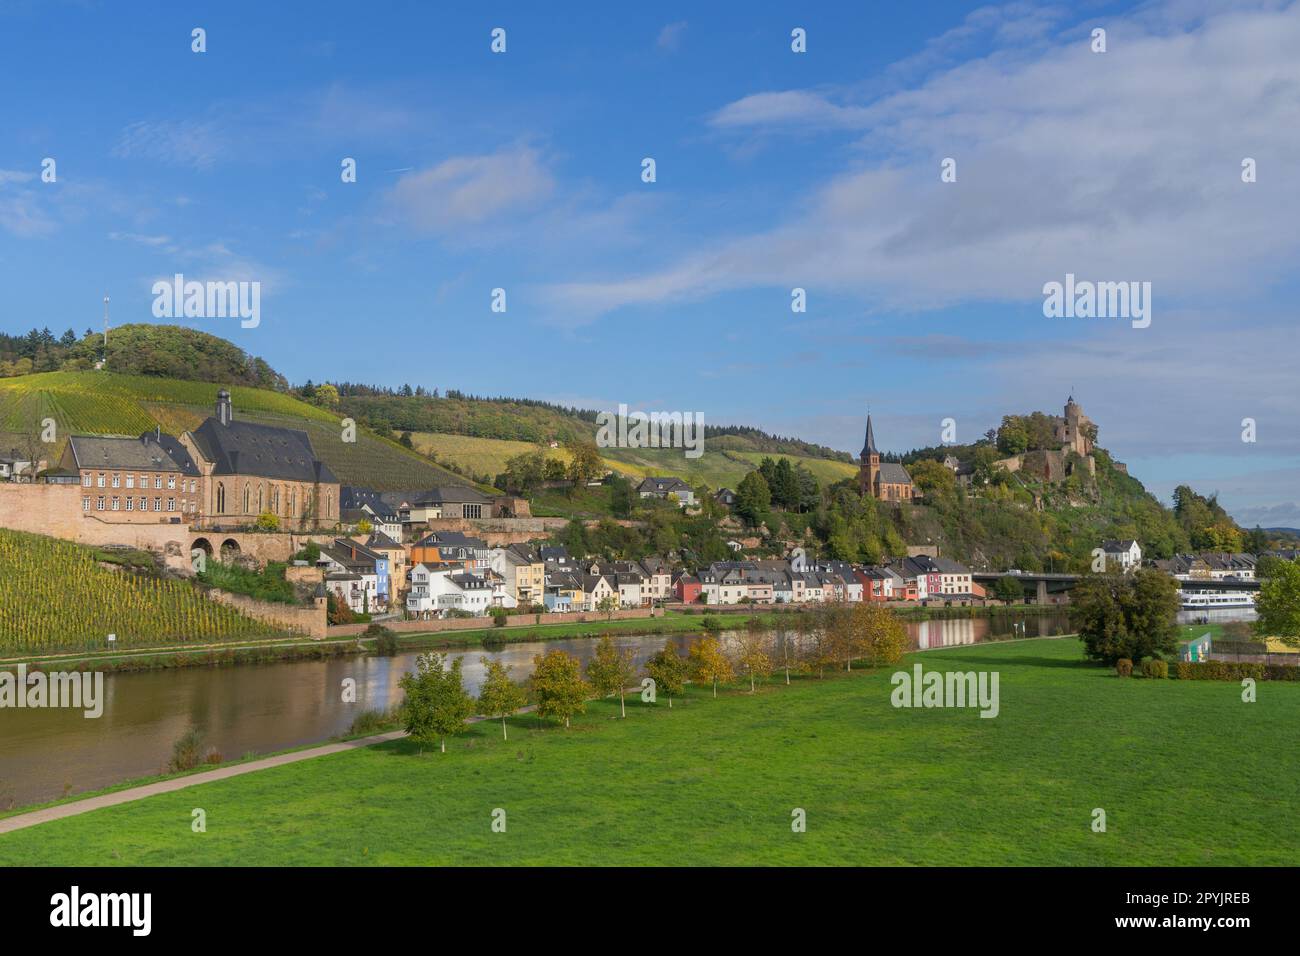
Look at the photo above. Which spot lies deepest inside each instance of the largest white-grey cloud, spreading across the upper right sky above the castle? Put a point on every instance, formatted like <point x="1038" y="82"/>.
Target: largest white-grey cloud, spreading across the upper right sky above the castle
<point x="1121" y="166"/>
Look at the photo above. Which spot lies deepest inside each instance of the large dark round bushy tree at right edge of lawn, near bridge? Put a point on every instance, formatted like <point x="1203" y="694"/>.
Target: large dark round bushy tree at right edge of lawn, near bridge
<point x="1126" y="616"/>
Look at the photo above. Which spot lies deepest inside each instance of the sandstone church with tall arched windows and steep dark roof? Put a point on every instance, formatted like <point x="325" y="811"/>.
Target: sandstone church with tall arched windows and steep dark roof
<point x="252" y="469"/>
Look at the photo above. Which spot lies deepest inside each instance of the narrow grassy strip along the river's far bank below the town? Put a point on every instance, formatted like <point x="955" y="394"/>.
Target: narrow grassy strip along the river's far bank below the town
<point x="296" y="648"/>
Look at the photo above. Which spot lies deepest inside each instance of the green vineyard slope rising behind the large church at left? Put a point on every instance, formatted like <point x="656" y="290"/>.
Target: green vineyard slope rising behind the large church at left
<point x="111" y="404"/>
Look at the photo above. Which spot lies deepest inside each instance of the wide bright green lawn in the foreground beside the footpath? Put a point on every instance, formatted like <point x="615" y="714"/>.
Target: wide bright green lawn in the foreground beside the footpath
<point x="1186" y="773"/>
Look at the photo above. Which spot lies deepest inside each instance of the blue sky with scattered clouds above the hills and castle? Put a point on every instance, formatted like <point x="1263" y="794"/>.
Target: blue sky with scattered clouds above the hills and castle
<point x="774" y="171"/>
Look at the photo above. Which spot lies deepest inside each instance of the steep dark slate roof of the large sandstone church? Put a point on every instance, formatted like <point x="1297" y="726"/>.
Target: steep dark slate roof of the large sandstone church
<point x="245" y="448"/>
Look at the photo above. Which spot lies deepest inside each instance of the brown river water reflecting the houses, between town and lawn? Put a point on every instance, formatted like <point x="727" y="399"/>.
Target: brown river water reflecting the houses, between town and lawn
<point x="272" y="707"/>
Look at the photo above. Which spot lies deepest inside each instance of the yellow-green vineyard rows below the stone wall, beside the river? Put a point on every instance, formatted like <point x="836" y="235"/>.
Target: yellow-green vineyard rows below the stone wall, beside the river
<point x="55" y="596"/>
